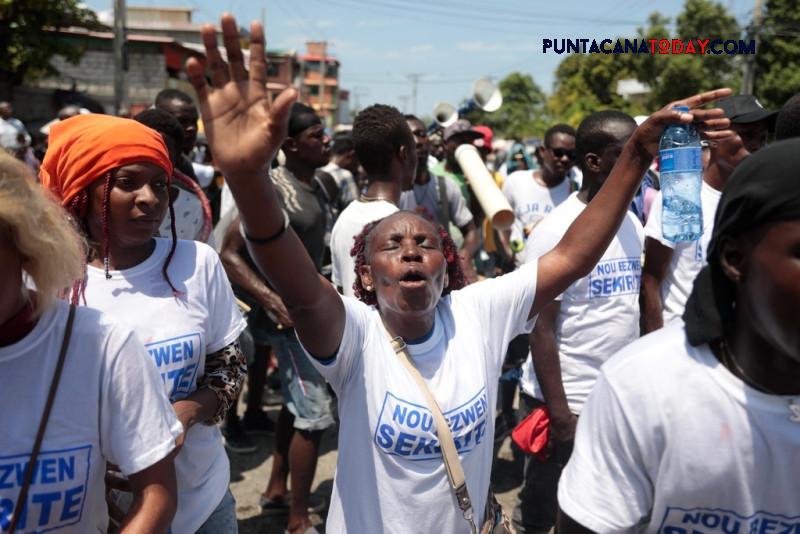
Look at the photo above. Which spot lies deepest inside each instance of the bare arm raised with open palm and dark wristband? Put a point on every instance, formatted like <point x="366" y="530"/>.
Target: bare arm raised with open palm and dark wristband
<point x="245" y="131"/>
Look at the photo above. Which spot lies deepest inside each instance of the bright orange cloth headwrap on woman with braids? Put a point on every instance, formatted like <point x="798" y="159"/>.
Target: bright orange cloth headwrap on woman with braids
<point x="86" y="147"/>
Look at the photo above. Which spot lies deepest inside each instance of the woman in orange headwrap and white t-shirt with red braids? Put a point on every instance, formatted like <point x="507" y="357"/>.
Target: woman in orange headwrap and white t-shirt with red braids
<point x="113" y="176"/>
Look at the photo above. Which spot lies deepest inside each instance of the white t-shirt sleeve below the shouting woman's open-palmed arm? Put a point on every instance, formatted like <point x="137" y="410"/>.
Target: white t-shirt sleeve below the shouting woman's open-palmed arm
<point x="338" y="369"/>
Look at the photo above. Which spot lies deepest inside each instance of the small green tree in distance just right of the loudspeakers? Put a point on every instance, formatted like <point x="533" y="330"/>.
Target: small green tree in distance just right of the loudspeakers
<point x="522" y="112"/>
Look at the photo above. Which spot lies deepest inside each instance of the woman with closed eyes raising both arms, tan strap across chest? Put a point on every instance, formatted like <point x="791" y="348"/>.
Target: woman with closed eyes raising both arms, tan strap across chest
<point x="390" y="475"/>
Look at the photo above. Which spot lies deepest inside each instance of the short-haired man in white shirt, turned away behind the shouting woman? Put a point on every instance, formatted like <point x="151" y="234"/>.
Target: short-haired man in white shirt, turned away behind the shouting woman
<point x="387" y="151"/>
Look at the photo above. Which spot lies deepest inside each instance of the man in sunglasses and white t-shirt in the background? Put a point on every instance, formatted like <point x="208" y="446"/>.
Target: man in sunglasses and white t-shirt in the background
<point x="533" y="194"/>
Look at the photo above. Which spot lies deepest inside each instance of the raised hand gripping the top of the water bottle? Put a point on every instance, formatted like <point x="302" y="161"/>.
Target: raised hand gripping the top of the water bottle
<point x="709" y="122"/>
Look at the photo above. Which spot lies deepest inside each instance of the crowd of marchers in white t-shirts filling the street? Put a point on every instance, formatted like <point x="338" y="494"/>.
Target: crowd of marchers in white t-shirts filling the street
<point x="356" y="277"/>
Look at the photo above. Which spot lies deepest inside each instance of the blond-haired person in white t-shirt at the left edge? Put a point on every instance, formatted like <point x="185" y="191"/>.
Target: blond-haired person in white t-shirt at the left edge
<point x="107" y="400"/>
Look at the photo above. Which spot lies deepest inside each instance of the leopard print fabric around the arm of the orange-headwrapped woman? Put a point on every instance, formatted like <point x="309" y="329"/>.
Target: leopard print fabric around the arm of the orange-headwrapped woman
<point x="225" y="372"/>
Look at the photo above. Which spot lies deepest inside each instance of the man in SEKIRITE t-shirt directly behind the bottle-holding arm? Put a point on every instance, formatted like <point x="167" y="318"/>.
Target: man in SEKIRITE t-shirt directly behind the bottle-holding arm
<point x="595" y="317"/>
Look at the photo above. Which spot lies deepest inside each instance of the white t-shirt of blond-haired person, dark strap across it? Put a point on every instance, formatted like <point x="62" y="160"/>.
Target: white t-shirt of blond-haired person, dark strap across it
<point x="109" y="407"/>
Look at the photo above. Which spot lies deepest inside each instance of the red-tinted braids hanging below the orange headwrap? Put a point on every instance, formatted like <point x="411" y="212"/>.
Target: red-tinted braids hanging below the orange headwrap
<point x="78" y="208"/>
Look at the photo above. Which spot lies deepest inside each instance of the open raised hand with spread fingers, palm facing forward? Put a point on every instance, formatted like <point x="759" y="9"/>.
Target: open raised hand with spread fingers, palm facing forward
<point x="244" y="129"/>
